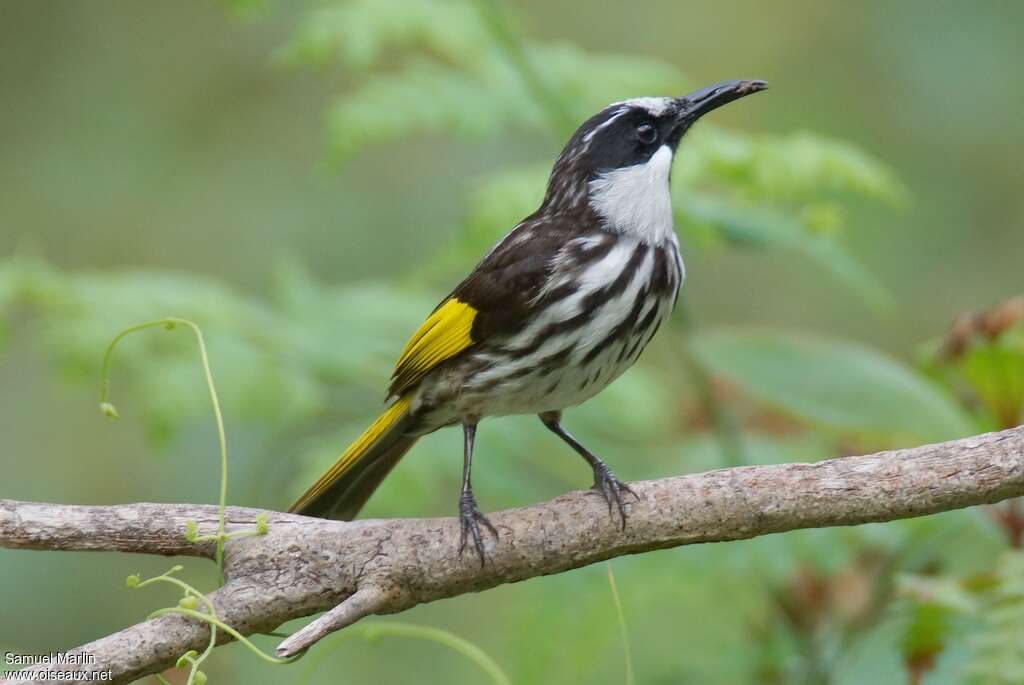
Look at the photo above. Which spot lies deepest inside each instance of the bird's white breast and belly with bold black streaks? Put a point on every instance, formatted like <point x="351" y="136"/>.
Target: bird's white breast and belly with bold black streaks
<point x="571" y="350"/>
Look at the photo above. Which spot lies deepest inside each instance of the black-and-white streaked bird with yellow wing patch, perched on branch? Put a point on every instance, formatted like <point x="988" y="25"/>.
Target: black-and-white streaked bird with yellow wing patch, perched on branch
<point x="559" y="309"/>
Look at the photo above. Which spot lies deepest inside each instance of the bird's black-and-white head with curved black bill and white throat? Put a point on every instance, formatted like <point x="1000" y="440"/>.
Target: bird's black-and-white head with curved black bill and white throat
<point x="619" y="161"/>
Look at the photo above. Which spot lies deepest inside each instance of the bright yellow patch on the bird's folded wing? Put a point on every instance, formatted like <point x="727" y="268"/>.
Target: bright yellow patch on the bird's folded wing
<point x="445" y="334"/>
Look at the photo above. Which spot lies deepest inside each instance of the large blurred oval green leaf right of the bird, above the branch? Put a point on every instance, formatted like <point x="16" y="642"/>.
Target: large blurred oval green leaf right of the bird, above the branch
<point x="834" y="383"/>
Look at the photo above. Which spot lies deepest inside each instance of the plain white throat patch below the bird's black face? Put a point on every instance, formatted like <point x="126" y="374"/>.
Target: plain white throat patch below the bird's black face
<point x="635" y="200"/>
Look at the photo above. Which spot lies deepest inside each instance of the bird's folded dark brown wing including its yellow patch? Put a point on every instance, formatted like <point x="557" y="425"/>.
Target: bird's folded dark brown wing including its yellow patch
<point x="494" y="299"/>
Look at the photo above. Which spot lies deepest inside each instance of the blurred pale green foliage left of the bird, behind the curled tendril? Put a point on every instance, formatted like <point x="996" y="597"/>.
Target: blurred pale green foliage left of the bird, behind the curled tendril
<point x="279" y="360"/>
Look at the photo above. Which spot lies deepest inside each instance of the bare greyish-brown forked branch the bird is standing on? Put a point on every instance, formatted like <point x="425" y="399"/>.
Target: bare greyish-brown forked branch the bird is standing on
<point x="305" y="566"/>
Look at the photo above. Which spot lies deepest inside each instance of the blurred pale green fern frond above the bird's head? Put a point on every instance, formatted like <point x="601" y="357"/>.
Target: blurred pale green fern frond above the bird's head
<point x="475" y="90"/>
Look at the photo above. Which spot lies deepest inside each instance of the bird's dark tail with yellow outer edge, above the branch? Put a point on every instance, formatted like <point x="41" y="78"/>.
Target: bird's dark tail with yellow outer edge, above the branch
<point x="343" y="492"/>
